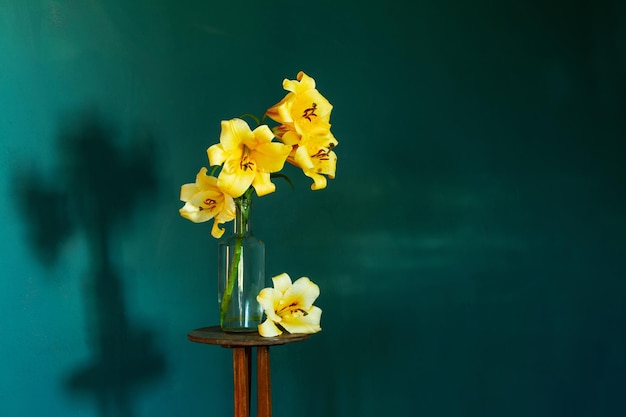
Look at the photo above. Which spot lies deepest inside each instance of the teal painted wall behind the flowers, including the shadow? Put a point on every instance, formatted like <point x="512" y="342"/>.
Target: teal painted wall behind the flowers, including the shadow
<point x="470" y="251"/>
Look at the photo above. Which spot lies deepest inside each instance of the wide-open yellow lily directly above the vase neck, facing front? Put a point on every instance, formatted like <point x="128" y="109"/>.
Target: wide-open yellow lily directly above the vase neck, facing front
<point x="248" y="158"/>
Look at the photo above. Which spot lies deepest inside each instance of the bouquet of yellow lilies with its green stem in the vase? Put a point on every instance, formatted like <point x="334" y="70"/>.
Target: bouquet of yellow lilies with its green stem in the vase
<point x="248" y="159"/>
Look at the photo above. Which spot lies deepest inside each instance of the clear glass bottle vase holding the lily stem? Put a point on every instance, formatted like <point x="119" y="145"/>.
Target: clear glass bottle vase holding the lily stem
<point x="241" y="273"/>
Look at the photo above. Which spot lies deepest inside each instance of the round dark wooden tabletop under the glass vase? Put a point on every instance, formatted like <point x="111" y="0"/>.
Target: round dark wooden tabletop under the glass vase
<point x="214" y="335"/>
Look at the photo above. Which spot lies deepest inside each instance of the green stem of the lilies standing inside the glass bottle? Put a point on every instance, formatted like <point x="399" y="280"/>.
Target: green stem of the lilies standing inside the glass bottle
<point x="242" y="205"/>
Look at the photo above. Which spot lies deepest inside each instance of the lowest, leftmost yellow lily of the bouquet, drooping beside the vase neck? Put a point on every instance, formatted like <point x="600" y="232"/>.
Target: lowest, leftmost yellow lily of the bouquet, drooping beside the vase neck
<point x="205" y="201"/>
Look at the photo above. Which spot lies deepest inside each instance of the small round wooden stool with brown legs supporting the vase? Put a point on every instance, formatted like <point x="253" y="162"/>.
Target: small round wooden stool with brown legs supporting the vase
<point x="242" y="344"/>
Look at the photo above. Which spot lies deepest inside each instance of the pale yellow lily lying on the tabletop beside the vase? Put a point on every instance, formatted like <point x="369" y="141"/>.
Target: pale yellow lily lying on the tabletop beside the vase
<point x="290" y="306"/>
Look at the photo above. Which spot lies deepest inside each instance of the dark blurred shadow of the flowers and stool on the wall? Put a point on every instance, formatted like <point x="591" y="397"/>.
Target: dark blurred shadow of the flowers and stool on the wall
<point x="94" y="194"/>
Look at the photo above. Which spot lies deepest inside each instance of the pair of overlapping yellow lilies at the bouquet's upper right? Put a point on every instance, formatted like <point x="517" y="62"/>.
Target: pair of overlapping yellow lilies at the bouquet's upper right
<point x="304" y="115"/>
